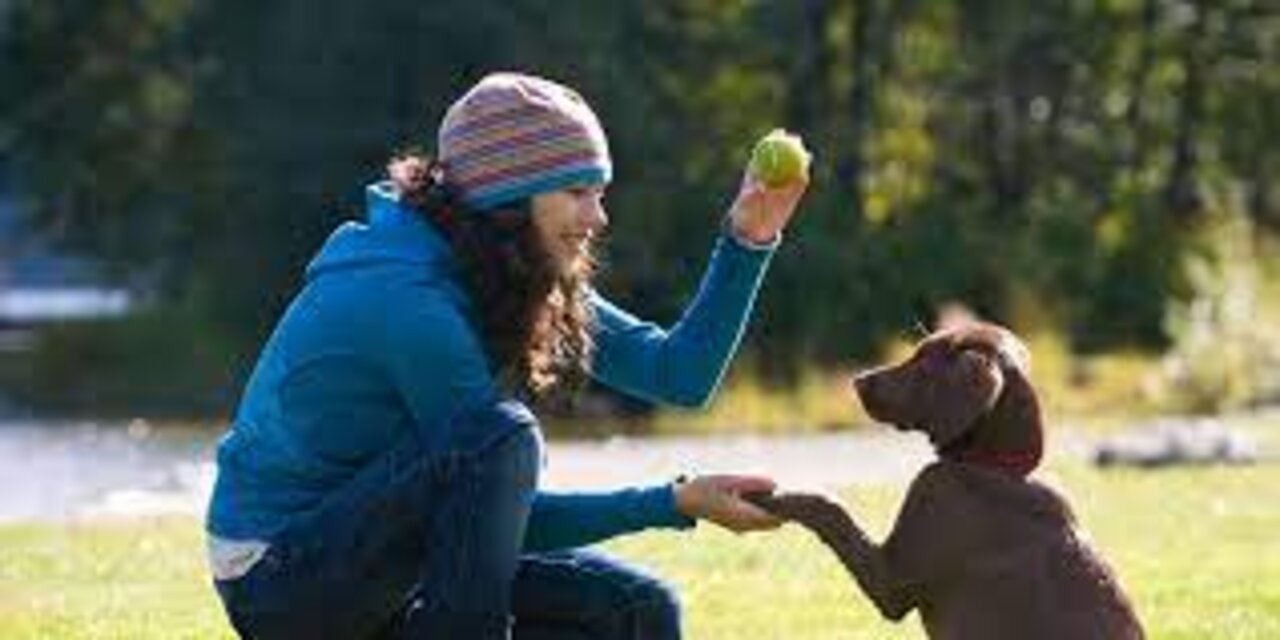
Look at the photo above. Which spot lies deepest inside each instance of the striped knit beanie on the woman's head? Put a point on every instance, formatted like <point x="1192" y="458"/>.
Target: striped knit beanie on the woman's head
<point x="514" y="136"/>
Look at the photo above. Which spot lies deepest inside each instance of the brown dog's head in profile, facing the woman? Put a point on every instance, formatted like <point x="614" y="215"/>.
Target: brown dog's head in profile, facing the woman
<point x="968" y="388"/>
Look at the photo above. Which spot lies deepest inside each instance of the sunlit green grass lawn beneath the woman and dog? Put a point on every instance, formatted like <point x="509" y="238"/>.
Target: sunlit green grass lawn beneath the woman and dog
<point x="1199" y="550"/>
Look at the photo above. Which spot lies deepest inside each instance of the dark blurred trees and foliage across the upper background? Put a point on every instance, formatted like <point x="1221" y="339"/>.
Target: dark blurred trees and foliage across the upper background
<point x="1068" y="154"/>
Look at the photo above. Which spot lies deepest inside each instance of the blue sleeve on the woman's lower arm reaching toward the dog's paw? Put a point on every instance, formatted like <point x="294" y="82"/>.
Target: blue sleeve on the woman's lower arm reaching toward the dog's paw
<point x="569" y="520"/>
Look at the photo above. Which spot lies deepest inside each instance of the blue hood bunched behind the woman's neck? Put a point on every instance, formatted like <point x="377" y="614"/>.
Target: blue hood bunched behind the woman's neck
<point x="392" y="236"/>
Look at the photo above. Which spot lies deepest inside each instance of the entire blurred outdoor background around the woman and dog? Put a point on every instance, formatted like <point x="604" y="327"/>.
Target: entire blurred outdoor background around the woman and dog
<point x="1101" y="176"/>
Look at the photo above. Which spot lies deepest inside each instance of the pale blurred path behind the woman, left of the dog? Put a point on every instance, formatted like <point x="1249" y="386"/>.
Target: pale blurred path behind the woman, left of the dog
<point x="88" y="470"/>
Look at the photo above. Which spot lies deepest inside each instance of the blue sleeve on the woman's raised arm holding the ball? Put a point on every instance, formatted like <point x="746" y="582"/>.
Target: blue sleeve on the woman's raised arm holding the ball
<point x="683" y="365"/>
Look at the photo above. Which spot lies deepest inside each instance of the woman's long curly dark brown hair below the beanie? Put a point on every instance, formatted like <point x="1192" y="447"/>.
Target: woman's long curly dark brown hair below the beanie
<point x="534" y="319"/>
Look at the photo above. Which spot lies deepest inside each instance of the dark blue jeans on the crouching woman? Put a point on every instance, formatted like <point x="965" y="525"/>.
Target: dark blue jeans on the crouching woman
<point x="417" y="548"/>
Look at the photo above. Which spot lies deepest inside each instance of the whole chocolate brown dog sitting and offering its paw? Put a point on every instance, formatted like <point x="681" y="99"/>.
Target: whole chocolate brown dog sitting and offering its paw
<point x="982" y="551"/>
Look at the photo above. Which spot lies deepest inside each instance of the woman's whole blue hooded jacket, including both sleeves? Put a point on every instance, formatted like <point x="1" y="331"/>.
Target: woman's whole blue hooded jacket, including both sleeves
<point x="380" y="345"/>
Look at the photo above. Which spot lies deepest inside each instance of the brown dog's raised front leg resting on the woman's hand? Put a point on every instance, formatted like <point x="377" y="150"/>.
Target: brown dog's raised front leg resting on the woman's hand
<point x="838" y="531"/>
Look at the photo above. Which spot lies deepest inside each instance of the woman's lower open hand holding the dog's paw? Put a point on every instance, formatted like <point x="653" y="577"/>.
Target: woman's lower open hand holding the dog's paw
<point x="719" y="499"/>
